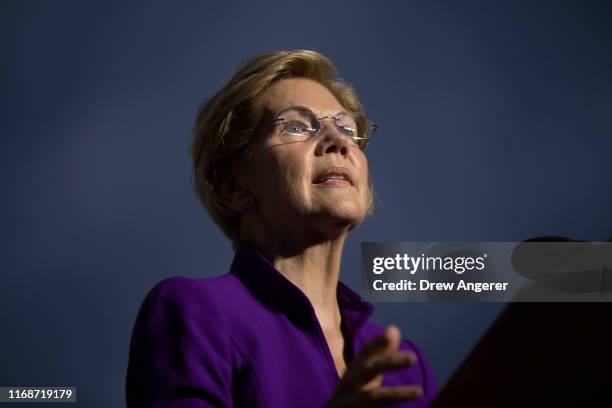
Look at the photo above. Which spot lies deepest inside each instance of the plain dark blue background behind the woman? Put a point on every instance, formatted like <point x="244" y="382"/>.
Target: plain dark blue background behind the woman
<point x="495" y="125"/>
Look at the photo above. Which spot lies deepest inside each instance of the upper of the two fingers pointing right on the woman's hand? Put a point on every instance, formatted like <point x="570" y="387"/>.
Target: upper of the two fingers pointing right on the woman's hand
<point x="359" y="375"/>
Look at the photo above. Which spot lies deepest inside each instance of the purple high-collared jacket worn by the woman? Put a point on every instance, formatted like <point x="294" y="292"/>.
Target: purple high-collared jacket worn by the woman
<point x="246" y="338"/>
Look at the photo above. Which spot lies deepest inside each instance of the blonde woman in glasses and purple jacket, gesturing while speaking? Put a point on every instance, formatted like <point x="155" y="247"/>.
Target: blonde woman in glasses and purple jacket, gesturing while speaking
<point x="279" y="164"/>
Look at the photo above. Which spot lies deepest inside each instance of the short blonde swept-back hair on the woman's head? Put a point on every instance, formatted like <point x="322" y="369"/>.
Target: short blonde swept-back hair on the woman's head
<point x="227" y="123"/>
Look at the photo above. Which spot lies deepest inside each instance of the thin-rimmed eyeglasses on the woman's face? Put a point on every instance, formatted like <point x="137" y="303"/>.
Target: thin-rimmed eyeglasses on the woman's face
<point x="303" y="123"/>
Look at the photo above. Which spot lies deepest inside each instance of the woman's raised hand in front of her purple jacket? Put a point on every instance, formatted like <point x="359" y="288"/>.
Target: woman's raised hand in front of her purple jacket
<point x="361" y="385"/>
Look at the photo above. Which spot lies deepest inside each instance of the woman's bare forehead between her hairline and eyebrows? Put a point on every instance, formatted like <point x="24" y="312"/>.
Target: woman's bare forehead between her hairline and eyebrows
<point x="300" y="92"/>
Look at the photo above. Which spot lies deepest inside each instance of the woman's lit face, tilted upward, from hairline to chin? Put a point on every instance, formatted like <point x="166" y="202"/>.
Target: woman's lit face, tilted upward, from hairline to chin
<point x="316" y="182"/>
